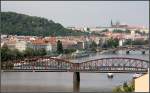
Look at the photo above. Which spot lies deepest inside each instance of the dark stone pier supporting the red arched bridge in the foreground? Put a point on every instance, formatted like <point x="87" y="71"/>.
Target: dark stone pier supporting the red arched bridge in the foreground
<point x="76" y="82"/>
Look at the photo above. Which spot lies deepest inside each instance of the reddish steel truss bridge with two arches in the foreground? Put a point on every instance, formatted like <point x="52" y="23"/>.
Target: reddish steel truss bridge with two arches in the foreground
<point x="103" y="65"/>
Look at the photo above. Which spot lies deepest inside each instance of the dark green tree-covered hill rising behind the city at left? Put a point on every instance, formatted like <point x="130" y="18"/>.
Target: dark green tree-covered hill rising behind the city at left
<point x="19" y="24"/>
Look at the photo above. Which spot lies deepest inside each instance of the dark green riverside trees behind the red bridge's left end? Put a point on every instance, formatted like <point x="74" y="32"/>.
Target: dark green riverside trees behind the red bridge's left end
<point x="8" y="55"/>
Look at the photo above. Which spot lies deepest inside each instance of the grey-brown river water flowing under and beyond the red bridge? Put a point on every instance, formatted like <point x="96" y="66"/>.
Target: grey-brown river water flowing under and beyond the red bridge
<point x="63" y="81"/>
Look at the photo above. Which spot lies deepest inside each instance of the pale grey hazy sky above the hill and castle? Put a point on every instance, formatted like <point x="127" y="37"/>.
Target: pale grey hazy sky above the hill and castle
<point x="84" y="13"/>
